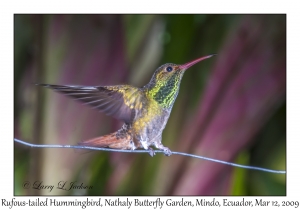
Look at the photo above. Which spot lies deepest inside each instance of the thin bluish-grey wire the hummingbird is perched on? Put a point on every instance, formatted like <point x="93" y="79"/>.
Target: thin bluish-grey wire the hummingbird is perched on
<point x="146" y="151"/>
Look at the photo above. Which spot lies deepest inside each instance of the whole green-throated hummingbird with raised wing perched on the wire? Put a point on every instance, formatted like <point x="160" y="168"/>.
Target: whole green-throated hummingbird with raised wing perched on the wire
<point x="145" y="111"/>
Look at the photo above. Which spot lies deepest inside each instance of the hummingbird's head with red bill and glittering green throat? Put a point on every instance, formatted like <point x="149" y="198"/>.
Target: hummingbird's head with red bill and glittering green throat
<point x="164" y="84"/>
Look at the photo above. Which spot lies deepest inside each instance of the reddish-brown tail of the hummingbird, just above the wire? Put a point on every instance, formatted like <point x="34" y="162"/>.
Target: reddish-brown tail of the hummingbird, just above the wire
<point x="110" y="140"/>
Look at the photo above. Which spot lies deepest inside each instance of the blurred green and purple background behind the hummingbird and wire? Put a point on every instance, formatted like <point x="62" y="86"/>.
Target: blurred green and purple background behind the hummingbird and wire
<point x="230" y="107"/>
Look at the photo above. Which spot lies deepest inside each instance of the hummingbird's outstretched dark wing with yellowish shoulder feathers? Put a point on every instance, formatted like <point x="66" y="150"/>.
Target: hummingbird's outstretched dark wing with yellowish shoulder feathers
<point x="117" y="101"/>
